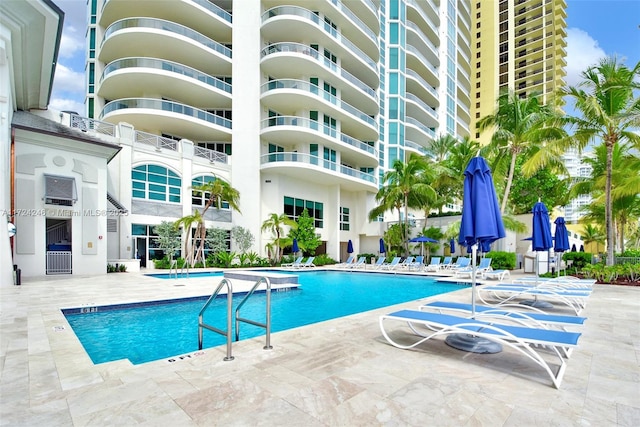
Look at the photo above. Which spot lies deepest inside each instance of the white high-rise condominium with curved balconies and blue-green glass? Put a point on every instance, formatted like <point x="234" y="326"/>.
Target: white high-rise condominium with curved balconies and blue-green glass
<point x="297" y="104"/>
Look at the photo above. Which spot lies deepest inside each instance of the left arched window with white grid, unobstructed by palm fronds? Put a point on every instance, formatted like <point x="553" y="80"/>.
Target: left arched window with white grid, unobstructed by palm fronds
<point x="154" y="182"/>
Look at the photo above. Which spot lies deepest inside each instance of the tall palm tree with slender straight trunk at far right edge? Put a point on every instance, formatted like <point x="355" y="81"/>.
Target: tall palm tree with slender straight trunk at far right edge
<point x="609" y="113"/>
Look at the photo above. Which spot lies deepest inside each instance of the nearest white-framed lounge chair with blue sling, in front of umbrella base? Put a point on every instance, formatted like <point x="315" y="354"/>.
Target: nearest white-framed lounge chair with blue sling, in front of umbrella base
<point x="426" y="325"/>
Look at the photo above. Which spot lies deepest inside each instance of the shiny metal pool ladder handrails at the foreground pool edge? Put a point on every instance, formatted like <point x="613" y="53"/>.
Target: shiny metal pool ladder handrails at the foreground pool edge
<point x="227" y="333"/>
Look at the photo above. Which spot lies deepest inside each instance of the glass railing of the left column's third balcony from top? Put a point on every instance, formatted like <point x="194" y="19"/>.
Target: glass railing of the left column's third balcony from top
<point x="168" y="66"/>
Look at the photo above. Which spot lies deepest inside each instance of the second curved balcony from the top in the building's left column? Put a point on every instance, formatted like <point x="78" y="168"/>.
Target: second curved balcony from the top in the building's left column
<point x="157" y="38"/>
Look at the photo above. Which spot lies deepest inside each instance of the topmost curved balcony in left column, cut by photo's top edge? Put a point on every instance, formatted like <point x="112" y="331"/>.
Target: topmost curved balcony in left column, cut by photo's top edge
<point x="201" y="15"/>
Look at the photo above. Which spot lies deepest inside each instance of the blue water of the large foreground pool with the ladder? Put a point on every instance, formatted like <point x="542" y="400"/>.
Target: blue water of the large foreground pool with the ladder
<point x="151" y="331"/>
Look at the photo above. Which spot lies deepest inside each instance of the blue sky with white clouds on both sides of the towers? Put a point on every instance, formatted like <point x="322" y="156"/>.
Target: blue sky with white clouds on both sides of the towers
<point x="596" y="28"/>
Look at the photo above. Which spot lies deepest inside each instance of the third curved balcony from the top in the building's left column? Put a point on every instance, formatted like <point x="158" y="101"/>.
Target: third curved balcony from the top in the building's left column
<point x="137" y="76"/>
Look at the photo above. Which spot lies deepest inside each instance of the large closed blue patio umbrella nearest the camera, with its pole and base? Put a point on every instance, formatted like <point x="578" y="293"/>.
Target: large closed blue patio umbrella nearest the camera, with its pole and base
<point x="481" y="222"/>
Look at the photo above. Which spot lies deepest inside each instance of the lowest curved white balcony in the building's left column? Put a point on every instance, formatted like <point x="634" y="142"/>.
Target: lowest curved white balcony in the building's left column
<point x="160" y="116"/>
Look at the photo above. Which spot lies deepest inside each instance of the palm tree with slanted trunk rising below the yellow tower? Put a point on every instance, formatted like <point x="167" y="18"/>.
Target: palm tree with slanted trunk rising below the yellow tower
<point x="520" y="127"/>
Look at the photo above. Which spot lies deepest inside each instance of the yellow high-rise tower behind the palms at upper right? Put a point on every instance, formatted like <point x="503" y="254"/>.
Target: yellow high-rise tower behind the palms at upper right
<point x="517" y="45"/>
